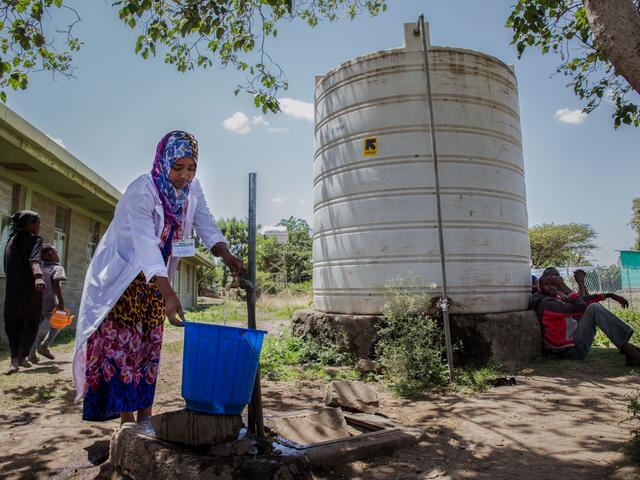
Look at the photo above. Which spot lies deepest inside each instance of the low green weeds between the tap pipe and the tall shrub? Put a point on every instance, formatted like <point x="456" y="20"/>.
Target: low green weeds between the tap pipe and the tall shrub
<point x="289" y="358"/>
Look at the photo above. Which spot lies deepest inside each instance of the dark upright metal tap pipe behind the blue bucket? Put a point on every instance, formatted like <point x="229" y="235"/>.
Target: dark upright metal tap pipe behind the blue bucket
<point x="255" y="418"/>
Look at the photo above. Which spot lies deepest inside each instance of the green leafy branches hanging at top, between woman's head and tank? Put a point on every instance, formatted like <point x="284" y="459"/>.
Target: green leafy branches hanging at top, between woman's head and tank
<point x="198" y="33"/>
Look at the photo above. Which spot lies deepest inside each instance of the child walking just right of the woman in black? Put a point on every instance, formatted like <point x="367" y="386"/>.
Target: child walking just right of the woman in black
<point x="53" y="276"/>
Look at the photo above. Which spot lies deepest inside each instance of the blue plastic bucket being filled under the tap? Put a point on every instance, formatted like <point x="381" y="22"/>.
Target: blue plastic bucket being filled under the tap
<point x="219" y="367"/>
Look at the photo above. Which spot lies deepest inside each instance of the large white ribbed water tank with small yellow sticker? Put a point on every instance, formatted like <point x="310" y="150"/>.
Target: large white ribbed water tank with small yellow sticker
<point x="374" y="203"/>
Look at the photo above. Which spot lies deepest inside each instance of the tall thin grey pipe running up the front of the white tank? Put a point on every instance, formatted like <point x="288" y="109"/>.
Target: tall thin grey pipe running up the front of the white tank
<point x="420" y="31"/>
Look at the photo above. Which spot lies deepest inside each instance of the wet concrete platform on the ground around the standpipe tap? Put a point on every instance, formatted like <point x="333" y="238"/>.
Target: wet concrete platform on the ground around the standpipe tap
<point x="137" y="457"/>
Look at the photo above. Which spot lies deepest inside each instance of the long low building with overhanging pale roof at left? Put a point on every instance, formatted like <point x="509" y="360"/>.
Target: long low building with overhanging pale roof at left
<point x="76" y="205"/>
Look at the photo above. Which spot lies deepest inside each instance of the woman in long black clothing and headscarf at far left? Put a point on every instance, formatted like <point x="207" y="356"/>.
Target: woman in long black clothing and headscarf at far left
<point x="24" y="286"/>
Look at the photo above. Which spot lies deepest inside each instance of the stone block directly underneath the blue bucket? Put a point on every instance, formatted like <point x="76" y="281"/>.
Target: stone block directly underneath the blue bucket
<point x="193" y="428"/>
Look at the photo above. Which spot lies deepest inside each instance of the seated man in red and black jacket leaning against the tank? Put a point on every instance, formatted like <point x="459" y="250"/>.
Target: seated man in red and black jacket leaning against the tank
<point x="569" y="323"/>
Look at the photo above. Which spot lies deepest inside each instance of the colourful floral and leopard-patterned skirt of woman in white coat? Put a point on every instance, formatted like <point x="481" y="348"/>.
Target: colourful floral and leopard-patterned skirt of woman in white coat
<point x="123" y="354"/>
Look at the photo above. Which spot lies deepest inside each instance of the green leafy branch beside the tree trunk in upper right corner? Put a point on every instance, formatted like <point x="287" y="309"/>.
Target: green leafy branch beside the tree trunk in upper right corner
<point x="561" y="27"/>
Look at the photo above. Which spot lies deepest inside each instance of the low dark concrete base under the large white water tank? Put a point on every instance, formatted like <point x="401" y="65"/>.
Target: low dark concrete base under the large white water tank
<point x="503" y="338"/>
